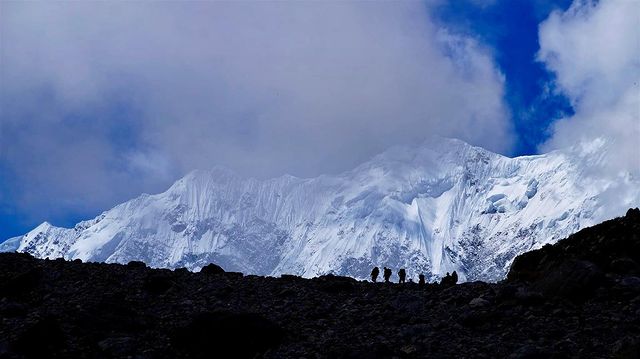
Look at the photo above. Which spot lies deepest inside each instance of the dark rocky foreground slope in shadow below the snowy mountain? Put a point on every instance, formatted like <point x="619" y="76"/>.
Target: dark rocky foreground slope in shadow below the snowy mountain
<point x="579" y="298"/>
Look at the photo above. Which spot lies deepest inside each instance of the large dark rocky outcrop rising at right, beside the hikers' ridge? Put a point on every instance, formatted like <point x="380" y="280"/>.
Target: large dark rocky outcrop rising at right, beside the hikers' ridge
<point x="576" y="267"/>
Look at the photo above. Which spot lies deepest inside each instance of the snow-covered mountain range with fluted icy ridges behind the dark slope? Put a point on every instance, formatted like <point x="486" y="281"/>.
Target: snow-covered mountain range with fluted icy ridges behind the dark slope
<point x="433" y="208"/>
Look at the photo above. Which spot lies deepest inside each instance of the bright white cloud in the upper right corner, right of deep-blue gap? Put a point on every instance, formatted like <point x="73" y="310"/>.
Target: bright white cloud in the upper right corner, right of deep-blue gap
<point x="594" y="50"/>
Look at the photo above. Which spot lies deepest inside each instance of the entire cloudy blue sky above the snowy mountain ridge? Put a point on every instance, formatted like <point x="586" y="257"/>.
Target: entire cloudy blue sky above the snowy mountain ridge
<point x="100" y="102"/>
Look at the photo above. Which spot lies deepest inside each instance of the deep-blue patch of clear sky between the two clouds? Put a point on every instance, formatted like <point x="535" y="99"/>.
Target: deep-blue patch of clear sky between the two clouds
<point x="510" y="28"/>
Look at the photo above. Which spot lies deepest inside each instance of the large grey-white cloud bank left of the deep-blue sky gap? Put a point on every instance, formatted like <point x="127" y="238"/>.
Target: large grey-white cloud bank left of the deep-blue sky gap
<point x="102" y="101"/>
